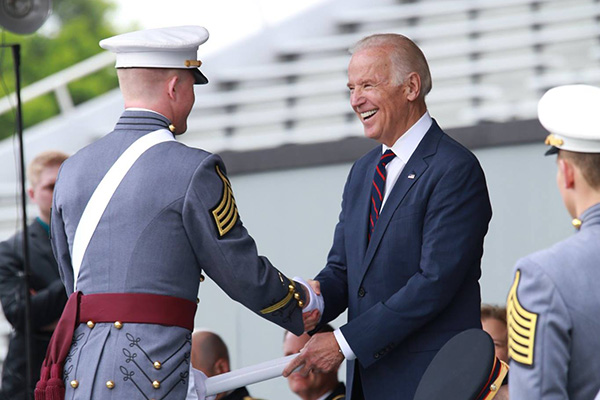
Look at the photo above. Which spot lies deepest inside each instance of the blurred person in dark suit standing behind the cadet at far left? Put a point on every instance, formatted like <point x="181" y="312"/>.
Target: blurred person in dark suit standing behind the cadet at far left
<point x="48" y="295"/>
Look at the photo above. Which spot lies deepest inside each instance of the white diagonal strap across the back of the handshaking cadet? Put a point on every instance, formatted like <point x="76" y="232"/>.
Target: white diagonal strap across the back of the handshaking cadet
<point x="104" y="192"/>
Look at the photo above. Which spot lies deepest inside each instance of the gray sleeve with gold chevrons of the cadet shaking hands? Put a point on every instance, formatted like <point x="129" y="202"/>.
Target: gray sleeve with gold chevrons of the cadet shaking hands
<point x="228" y="254"/>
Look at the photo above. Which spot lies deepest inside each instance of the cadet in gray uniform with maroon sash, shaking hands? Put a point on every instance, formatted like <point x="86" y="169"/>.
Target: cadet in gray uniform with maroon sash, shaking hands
<point x="171" y="217"/>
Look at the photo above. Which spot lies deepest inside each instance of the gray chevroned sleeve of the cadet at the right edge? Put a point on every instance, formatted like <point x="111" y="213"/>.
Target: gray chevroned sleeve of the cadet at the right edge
<point x="540" y="355"/>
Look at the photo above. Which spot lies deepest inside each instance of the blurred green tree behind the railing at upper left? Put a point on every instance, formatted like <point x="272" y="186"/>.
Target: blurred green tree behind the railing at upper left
<point x="70" y="35"/>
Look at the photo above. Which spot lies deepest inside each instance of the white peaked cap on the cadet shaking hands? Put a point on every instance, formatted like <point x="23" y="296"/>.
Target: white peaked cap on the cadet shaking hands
<point x="174" y="47"/>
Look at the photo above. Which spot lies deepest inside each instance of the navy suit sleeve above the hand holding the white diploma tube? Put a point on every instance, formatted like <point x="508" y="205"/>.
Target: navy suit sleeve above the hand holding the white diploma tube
<point x="454" y="225"/>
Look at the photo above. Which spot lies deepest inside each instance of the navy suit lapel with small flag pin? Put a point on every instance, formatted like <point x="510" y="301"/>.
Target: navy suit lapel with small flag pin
<point x="416" y="166"/>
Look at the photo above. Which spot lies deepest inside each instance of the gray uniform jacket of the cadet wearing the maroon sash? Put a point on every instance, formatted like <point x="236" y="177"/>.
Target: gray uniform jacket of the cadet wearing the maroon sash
<point x="162" y="227"/>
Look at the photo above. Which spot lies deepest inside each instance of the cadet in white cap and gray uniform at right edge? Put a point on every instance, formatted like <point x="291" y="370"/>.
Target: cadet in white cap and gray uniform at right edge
<point x="554" y="303"/>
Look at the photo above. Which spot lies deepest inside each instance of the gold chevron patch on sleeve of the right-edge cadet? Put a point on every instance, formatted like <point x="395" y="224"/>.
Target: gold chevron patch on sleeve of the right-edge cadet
<point x="521" y="327"/>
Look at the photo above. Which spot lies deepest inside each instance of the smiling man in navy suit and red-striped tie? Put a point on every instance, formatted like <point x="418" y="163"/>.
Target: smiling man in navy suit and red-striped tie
<point x="407" y="249"/>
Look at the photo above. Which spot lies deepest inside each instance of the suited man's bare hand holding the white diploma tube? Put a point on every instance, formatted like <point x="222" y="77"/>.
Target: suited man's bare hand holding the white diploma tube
<point x="320" y="354"/>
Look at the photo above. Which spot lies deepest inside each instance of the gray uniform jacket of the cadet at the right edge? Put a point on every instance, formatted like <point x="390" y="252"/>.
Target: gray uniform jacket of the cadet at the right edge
<point x="554" y="318"/>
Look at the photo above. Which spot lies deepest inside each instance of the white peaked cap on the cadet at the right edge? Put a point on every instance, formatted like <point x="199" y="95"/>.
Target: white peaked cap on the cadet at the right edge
<point x="569" y="113"/>
